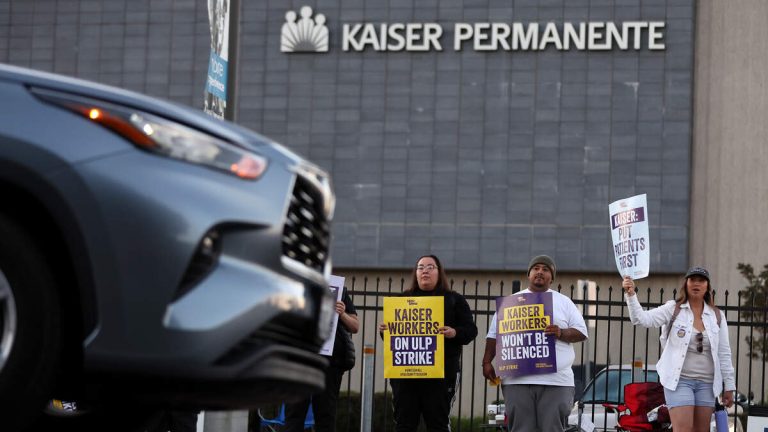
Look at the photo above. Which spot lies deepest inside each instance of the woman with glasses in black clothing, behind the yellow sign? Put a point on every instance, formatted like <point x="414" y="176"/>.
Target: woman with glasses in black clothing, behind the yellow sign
<point x="432" y="398"/>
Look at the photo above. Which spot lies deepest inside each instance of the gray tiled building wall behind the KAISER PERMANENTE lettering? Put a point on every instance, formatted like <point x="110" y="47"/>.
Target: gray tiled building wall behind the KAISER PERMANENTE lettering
<point x="483" y="157"/>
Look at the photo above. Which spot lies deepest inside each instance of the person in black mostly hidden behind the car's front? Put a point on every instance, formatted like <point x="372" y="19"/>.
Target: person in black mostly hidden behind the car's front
<point x="324" y="403"/>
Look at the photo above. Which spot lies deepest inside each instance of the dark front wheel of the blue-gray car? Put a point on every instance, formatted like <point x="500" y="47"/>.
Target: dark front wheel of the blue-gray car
<point x="30" y="327"/>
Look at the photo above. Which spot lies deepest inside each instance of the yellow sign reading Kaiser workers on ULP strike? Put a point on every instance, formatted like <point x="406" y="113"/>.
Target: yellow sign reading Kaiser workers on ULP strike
<point x="413" y="347"/>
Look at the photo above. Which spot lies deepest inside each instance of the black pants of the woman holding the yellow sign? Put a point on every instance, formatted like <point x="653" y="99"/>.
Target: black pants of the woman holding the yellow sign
<point x="430" y="398"/>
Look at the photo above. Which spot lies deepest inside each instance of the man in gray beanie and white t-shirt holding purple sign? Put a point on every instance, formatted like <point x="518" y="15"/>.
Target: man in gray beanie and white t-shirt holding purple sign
<point x="538" y="382"/>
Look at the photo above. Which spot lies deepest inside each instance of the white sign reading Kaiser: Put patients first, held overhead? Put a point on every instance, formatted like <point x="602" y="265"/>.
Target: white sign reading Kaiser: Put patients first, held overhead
<point x="629" y="231"/>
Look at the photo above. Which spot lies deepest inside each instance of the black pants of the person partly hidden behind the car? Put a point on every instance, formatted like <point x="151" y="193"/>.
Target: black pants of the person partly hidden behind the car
<point x="323" y="406"/>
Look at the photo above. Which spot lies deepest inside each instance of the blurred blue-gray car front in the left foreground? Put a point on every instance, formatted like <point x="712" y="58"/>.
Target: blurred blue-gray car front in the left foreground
<point x="151" y="256"/>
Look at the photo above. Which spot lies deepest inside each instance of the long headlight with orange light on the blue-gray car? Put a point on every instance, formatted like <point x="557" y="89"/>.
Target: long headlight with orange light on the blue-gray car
<point x="162" y="136"/>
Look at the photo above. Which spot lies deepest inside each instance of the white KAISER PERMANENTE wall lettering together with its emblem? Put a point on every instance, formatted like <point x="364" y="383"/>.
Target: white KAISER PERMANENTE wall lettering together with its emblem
<point x="307" y="34"/>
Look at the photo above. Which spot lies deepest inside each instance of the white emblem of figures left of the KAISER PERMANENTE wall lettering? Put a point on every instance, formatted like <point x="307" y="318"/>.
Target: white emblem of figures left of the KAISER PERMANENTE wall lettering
<point x="303" y="33"/>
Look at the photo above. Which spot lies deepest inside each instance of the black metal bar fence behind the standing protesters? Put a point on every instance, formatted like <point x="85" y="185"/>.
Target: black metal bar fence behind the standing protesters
<point x="613" y="340"/>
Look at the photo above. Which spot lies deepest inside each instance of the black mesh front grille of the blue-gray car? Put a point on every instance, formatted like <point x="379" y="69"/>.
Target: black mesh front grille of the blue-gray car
<point x="306" y="236"/>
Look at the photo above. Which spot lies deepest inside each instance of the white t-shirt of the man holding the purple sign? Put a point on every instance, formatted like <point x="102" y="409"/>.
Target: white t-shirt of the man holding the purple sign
<point x="565" y="314"/>
